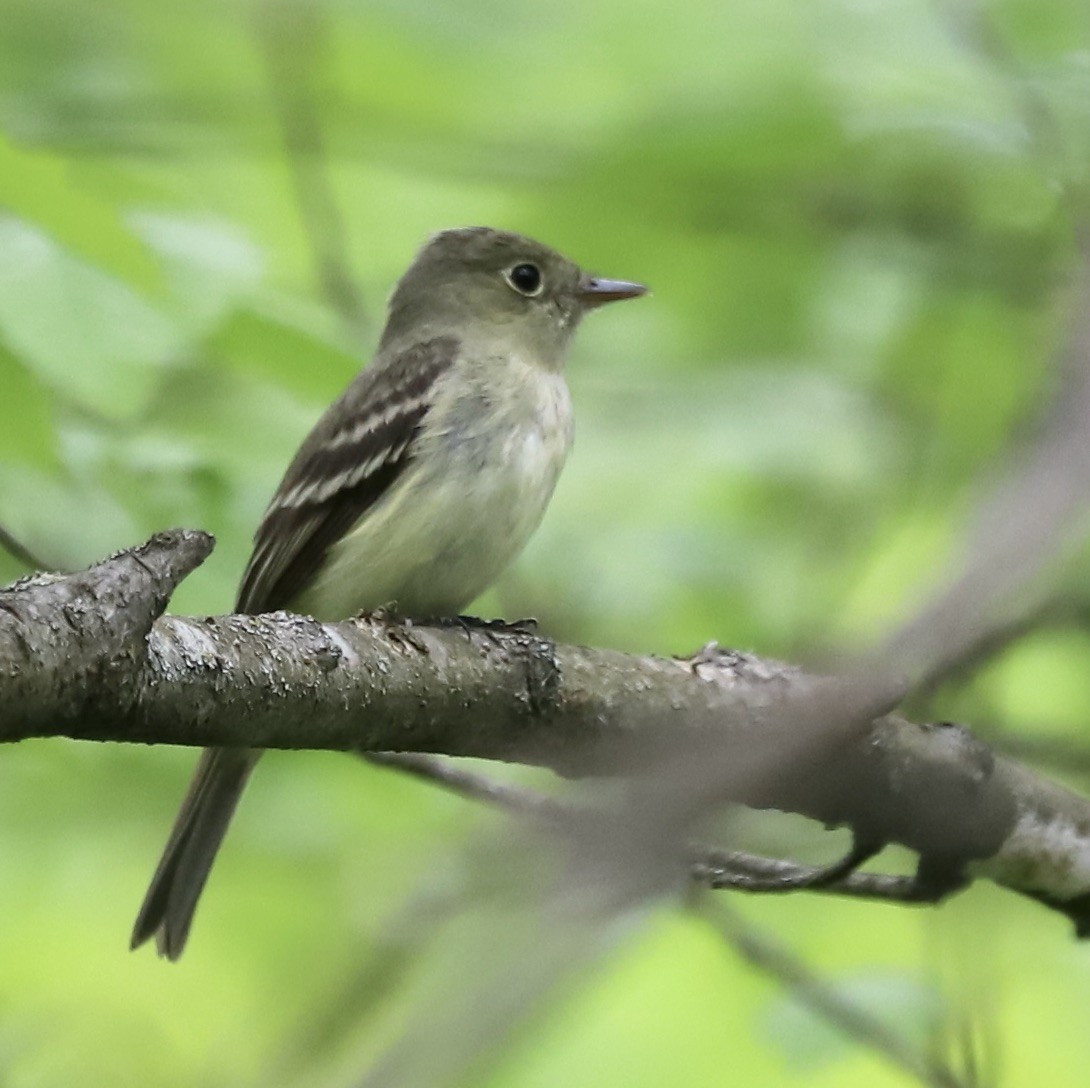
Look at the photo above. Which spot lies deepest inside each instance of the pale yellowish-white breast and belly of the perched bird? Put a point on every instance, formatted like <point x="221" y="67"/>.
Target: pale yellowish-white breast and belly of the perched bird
<point x="490" y="455"/>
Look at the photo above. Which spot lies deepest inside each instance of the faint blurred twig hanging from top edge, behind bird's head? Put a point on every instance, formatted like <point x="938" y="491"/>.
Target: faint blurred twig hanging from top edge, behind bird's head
<point x="294" y="39"/>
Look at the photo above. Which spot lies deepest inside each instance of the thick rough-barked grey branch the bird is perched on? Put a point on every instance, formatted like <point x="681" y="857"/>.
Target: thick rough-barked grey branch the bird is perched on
<point x="92" y="657"/>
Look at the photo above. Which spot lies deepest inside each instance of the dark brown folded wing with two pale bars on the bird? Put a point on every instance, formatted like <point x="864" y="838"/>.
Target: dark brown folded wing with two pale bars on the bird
<point x="352" y="458"/>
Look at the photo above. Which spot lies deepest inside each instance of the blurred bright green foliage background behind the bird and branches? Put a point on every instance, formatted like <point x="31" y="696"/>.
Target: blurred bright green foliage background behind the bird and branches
<point x="857" y="220"/>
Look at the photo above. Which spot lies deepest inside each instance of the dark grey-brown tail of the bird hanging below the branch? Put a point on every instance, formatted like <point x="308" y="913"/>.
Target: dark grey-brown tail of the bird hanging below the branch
<point x="199" y="830"/>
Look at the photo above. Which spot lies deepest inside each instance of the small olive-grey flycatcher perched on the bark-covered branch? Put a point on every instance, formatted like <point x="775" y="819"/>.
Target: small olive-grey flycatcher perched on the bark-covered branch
<point x="414" y="491"/>
